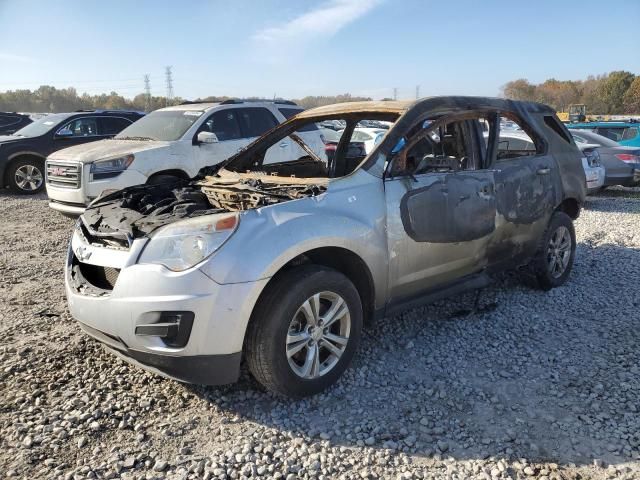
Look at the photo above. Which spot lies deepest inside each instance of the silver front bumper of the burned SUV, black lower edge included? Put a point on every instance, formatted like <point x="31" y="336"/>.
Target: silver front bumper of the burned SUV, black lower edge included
<point x="142" y="294"/>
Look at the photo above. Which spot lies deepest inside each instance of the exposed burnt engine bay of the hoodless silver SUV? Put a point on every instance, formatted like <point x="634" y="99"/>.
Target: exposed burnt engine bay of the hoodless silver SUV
<point x="136" y="211"/>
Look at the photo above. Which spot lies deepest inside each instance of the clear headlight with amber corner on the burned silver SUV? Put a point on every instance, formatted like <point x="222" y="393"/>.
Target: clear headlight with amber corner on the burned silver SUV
<point x="186" y="243"/>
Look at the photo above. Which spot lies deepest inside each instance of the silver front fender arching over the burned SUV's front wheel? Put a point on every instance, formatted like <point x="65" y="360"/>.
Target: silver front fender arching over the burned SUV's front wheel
<point x="350" y="215"/>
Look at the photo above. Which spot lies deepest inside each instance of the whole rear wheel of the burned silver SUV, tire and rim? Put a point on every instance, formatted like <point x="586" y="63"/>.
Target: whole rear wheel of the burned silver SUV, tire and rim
<point x="556" y="252"/>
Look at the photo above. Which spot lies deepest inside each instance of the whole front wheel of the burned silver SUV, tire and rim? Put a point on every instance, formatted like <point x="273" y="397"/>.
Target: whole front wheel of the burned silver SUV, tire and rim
<point x="304" y="331"/>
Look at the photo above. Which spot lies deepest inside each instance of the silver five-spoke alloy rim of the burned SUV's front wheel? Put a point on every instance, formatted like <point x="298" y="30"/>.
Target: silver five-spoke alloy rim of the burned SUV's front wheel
<point x="318" y="335"/>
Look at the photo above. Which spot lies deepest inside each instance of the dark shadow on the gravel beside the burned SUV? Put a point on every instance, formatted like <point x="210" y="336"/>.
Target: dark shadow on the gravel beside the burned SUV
<point x="547" y="376"/>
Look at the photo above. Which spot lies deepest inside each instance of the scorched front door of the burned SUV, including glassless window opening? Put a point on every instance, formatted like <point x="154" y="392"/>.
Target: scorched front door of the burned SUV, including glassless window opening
<point x="441" y="209"/>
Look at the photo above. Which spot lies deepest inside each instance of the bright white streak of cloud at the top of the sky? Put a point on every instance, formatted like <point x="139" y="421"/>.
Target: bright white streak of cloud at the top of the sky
<point x="322" y="22"/>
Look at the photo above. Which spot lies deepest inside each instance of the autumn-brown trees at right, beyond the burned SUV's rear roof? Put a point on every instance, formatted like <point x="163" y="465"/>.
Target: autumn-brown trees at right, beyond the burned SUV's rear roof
<point x="614" y="93"/>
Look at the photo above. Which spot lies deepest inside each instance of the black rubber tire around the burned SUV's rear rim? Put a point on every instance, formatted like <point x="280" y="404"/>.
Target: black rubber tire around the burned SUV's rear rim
<point x="547" y="275"/>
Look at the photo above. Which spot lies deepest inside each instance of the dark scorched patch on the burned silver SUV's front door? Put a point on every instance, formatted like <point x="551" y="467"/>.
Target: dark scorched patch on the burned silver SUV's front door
<point x="456" y="208"/>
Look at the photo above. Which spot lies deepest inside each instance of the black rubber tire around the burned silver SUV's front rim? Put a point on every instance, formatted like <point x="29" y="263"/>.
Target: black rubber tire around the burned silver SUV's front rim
<point x="265" y="344"/>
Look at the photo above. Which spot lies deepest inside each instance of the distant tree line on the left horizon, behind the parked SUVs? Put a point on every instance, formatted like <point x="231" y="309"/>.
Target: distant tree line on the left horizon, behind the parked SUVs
<point x="54" y="100"/>
